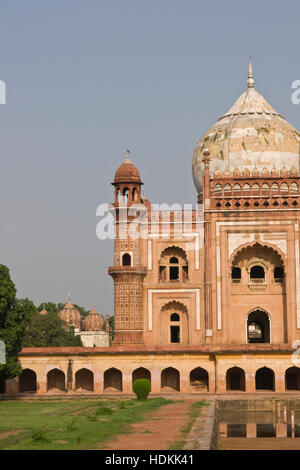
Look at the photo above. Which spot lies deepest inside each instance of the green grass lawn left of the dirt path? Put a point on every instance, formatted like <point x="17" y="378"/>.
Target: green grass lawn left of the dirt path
<point x="76" y="424"/>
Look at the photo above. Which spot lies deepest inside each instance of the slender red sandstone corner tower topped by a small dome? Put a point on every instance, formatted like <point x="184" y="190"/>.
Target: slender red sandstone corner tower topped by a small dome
<point x="127" y="272"/>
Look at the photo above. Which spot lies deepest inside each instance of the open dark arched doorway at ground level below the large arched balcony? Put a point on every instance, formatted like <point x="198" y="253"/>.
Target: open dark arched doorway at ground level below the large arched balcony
<point x="258" y="327"/>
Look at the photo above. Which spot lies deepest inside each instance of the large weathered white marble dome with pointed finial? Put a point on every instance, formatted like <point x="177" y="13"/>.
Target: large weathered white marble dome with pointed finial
<point x="250" y="135"/>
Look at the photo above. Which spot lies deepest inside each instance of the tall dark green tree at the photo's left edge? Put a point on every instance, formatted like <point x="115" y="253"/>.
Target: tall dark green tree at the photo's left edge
<point x="14" y="317"/>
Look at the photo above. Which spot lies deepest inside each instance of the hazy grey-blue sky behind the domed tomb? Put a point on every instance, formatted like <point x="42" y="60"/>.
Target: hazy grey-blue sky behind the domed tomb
<point x="88" y="79"/>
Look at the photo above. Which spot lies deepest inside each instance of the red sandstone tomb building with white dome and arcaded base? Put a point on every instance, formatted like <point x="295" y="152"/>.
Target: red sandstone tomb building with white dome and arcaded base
<point x="211" y="308"/>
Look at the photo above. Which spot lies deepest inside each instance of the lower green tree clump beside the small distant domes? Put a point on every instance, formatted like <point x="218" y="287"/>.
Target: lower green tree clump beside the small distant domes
<point x="49" y="330"/>
